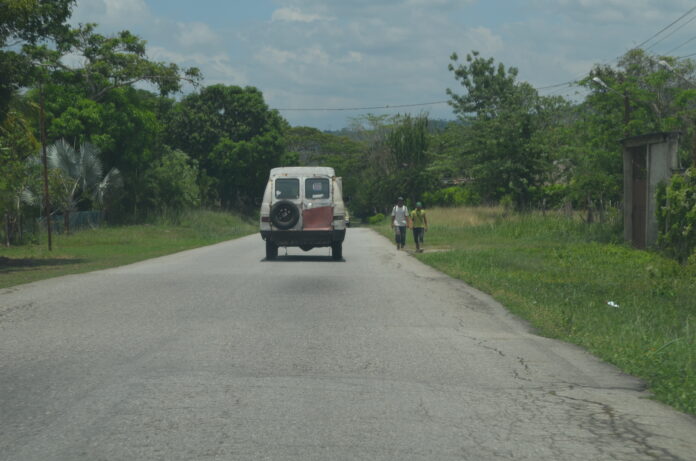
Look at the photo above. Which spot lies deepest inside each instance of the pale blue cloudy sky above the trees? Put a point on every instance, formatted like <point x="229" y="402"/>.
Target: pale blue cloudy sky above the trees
<point x="363" y="55"/>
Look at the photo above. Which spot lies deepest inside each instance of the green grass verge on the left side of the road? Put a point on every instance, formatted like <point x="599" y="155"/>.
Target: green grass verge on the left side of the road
<point x="106" y="247"/>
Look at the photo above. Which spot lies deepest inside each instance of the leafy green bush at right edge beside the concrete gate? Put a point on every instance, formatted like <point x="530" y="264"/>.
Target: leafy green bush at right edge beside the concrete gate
<point x="676" y="215"/>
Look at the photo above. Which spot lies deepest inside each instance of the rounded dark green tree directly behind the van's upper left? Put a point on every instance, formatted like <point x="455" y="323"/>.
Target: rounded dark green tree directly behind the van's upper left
<point x="233" y="135"/>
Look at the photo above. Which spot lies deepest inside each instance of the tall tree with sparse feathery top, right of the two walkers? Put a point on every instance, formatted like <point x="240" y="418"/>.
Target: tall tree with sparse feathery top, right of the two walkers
<point x="502" y="120"/>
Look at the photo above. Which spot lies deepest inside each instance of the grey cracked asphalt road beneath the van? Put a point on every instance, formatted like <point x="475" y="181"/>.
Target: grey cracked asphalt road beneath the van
<point x="217" y="354"/>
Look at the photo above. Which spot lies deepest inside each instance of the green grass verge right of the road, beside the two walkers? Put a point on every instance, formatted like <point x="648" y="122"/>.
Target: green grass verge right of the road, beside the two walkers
<point x="561" y="274"/>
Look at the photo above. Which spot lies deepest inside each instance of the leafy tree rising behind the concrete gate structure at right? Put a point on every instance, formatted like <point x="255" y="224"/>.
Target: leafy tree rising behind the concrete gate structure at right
<point x="642" y="94"/>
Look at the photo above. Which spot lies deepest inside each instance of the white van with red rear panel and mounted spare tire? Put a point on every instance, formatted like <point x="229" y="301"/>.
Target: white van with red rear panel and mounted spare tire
<point x="303" y="207"/>
